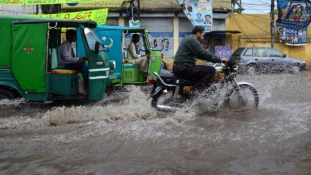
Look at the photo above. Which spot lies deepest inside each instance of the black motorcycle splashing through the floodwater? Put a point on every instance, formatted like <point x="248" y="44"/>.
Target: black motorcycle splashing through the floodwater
<point x="172" y="93"/>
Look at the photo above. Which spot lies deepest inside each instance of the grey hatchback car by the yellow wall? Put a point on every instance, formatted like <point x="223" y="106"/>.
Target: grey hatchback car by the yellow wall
<point x="263" y="59"/>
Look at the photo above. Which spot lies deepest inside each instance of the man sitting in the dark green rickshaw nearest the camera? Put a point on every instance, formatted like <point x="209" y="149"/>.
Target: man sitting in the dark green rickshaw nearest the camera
<point x="68" y="60"/>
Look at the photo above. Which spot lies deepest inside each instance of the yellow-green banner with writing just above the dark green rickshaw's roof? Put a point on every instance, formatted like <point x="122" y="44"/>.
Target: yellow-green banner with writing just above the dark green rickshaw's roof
<point x="99" y="16"/>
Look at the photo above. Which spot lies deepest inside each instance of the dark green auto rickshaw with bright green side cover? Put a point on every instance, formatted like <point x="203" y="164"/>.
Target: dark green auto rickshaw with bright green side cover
<point x="28" y="60"/>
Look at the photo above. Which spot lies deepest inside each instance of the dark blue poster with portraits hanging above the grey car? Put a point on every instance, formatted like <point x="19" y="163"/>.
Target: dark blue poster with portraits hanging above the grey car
<point x="293" y="19"/>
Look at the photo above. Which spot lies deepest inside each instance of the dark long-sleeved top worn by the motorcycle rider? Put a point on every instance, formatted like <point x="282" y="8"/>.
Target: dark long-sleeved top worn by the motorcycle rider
<point x="190" y="48"/>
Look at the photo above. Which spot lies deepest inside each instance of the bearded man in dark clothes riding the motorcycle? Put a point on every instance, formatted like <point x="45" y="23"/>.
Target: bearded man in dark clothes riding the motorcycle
<point x="184" y="63"/>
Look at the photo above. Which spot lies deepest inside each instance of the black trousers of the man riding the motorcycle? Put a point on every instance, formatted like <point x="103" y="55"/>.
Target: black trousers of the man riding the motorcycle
<point x="200" y="74"/>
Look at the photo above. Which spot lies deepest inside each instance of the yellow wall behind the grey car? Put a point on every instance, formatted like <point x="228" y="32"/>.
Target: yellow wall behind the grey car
<point x="256" y="32"/>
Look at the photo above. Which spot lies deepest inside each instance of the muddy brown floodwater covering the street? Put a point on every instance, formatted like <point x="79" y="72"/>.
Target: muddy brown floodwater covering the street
<point x="128" y="137"/>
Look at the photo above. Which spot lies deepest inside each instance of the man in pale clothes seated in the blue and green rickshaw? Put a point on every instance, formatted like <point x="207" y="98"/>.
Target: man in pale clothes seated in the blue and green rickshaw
<point x="133" y="55"/>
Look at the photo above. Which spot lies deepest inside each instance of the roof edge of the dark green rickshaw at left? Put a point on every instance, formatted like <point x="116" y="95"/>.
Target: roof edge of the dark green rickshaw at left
<point x="52" y="21"/>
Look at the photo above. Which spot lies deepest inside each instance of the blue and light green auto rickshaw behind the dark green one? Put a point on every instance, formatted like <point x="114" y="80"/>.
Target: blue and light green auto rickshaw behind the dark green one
<point x="116" y="40"/>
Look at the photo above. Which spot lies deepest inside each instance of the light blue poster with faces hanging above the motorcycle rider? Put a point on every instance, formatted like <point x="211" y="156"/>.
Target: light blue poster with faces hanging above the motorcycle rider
<point x="199" y="12"/>
